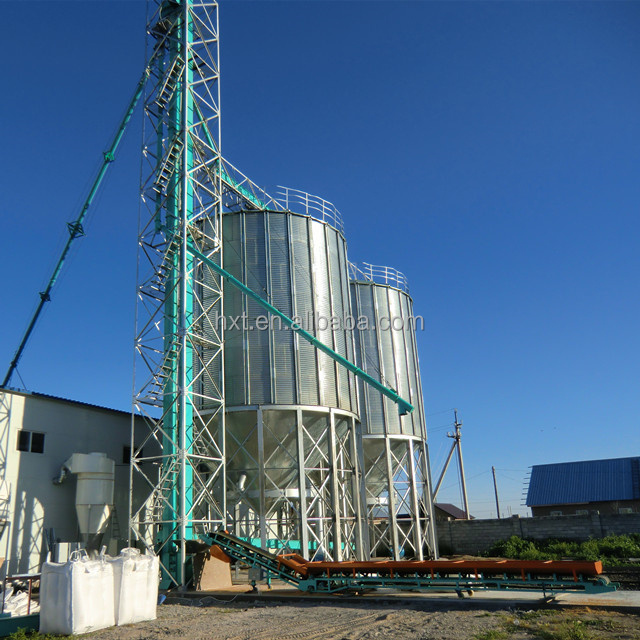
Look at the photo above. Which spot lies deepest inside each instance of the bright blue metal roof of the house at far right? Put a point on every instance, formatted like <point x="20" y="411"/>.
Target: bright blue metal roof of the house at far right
<point x="581" y="482"/>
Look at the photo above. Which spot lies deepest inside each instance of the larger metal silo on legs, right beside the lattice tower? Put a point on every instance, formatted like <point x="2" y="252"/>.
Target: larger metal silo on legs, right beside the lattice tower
<point x="291" y="411"/>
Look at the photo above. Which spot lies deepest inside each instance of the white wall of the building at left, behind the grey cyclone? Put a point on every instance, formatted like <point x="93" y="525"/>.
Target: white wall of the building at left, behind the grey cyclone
<point x="35" y="503"/>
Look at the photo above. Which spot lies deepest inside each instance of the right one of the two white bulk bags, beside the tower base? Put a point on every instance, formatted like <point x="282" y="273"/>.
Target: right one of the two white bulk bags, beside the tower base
<point x="136" y="579"/>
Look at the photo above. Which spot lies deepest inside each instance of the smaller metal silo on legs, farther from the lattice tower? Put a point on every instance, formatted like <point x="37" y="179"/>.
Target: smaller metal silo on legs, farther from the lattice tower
<point x="395" y="462"/>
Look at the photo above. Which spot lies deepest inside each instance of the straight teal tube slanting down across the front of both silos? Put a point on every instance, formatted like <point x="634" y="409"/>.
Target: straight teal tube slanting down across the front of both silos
<point x="404" y="407"/>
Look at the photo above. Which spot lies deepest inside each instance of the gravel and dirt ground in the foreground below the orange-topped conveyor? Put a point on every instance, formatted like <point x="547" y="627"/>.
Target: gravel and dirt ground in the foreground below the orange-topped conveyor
<point x="215" y="620"/>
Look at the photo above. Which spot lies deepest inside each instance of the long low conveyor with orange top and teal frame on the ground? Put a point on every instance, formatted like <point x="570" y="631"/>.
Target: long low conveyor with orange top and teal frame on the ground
<point x="461" y="576"/>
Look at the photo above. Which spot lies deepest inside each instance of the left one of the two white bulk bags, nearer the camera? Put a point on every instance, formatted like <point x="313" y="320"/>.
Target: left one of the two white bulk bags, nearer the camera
<point x="76" y="596"/>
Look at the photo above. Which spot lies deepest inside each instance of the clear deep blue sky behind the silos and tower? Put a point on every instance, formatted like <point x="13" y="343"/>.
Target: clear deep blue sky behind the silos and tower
<point x="490" y="151"/>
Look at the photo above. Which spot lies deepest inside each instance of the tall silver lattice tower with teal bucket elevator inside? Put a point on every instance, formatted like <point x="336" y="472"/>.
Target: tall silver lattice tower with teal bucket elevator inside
<point x="180" y="456"/>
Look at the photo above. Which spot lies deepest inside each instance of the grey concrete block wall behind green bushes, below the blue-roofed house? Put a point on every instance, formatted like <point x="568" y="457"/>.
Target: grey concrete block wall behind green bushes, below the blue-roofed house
<point x="476" y="536"/>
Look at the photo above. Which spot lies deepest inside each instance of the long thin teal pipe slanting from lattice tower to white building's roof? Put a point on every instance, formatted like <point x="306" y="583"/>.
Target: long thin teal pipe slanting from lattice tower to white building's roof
<point x="75" y="227"/>
